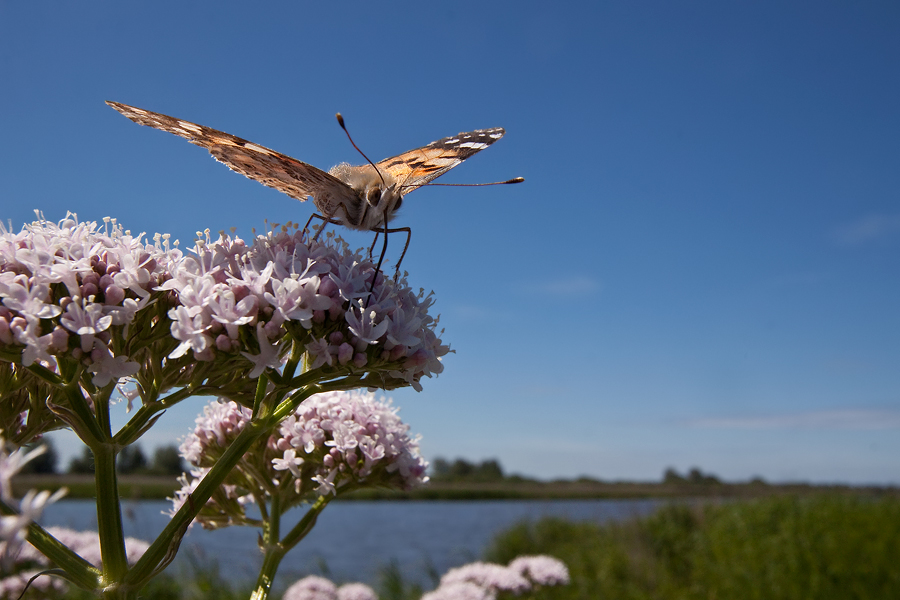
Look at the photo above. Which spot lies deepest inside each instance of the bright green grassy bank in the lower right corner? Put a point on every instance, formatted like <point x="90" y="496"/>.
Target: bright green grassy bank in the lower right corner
<point x="813" y="547"/>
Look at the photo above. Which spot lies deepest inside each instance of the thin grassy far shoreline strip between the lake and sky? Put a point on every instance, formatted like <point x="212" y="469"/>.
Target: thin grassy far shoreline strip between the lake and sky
<point x="155" y="487"/>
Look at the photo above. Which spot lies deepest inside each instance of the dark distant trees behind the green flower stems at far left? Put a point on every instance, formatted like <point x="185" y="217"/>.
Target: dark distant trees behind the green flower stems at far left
<point x="131" y="460"/>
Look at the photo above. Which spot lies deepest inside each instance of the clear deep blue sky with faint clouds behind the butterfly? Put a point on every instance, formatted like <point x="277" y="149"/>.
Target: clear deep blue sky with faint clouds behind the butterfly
<point x="701" y="268"/>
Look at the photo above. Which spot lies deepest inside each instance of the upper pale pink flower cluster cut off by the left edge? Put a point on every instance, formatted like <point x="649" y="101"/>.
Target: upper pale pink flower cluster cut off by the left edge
<point x="65" y="286"/>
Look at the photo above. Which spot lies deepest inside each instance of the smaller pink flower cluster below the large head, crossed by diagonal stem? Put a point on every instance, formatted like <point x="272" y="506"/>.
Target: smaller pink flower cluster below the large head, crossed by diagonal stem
<point x="333" y="441"/>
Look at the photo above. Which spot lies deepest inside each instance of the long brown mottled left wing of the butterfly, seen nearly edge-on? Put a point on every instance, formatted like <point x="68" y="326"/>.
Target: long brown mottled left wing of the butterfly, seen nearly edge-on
<point x="288" y="175"/>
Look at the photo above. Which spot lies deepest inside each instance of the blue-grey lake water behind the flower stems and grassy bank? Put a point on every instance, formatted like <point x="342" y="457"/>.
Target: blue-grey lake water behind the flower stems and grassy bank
<point x="353" y="540"/>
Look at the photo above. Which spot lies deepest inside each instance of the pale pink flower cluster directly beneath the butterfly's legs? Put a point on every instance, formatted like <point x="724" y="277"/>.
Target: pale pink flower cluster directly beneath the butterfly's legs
<point x="316" y="290"/>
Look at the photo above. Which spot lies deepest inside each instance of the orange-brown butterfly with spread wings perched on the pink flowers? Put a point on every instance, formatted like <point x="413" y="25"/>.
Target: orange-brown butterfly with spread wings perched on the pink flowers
<point x="359" y="197"/>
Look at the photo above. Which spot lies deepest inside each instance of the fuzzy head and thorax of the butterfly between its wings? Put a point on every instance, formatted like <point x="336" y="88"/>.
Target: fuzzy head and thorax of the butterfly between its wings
<point x="379" y="196"/>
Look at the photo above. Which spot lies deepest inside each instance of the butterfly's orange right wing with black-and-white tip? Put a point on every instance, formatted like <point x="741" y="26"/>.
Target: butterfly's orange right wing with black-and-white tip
<point x="417" y="167"/>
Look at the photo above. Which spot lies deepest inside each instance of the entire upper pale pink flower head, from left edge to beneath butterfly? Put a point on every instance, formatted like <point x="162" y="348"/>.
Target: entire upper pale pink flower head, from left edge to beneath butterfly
<point x="69" y="291"/>
